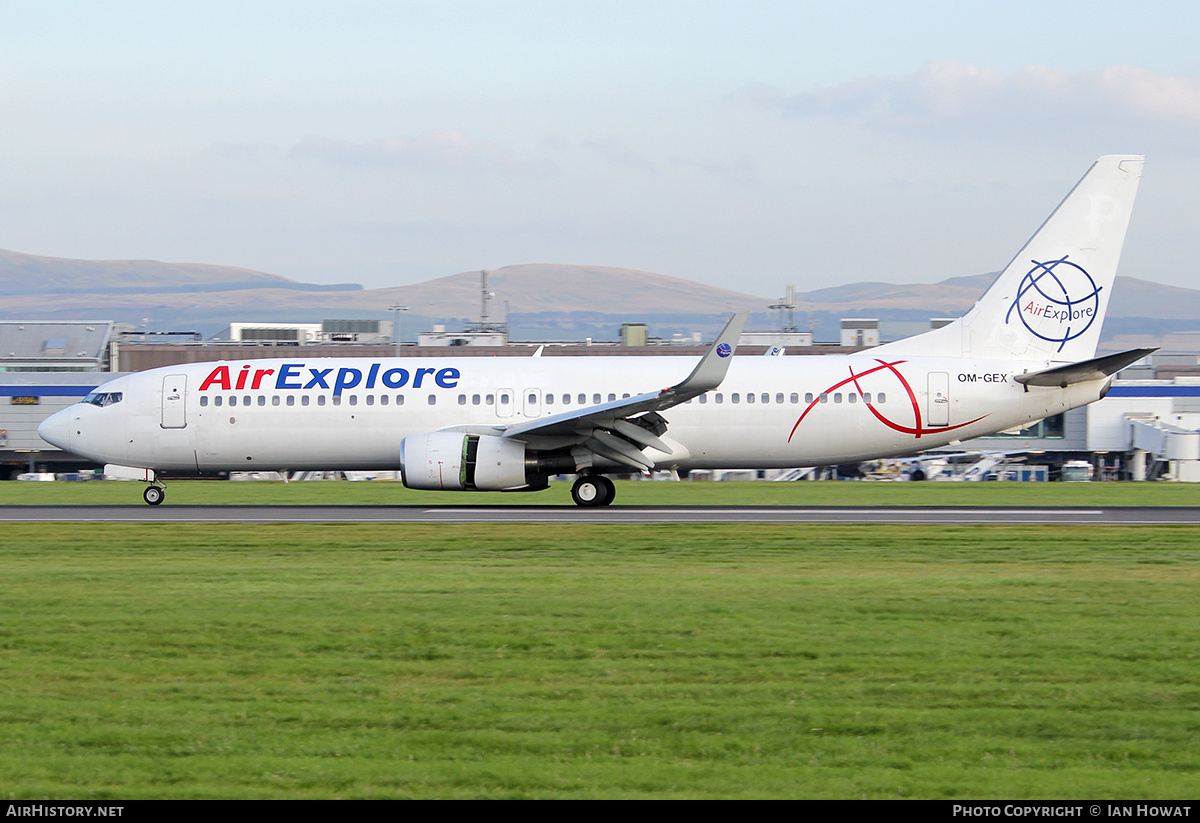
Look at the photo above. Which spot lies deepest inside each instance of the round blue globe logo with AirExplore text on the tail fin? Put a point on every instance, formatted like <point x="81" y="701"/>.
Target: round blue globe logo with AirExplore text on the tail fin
<point x="1057" y="302"/>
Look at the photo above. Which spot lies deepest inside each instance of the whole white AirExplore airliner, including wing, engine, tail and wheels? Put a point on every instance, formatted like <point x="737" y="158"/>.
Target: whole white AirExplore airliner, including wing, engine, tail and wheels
<point x="1027" y="351"/>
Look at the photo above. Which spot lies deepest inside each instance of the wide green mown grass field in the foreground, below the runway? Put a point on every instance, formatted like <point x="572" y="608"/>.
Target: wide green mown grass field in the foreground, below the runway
<point x="601" y="662"/>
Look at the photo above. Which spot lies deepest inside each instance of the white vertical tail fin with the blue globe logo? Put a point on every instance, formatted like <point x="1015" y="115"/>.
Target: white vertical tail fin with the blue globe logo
<point x="1049" y="303"/>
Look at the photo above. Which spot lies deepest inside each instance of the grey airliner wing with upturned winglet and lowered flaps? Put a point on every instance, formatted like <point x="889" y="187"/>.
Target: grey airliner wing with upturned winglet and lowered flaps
<point x="607" y="430"/>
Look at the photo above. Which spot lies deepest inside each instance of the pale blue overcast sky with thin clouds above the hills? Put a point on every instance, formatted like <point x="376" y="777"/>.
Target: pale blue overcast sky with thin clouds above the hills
<point x="748" y="145"/>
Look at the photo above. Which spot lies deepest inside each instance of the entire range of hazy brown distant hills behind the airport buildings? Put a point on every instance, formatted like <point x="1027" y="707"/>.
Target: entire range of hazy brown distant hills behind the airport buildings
<point x="556" y="302"/>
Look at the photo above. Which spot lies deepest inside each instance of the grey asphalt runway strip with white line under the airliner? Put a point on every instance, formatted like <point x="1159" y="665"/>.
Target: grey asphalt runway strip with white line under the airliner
<point x="617" y="514"/>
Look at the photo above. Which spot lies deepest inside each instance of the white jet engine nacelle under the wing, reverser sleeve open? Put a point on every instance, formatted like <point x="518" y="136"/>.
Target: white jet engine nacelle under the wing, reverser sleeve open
<point x="454" y="461"/>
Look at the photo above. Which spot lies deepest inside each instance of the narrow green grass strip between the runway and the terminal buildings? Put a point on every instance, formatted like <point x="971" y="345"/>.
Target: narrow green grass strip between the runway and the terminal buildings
<point x="803" y="494"/>
